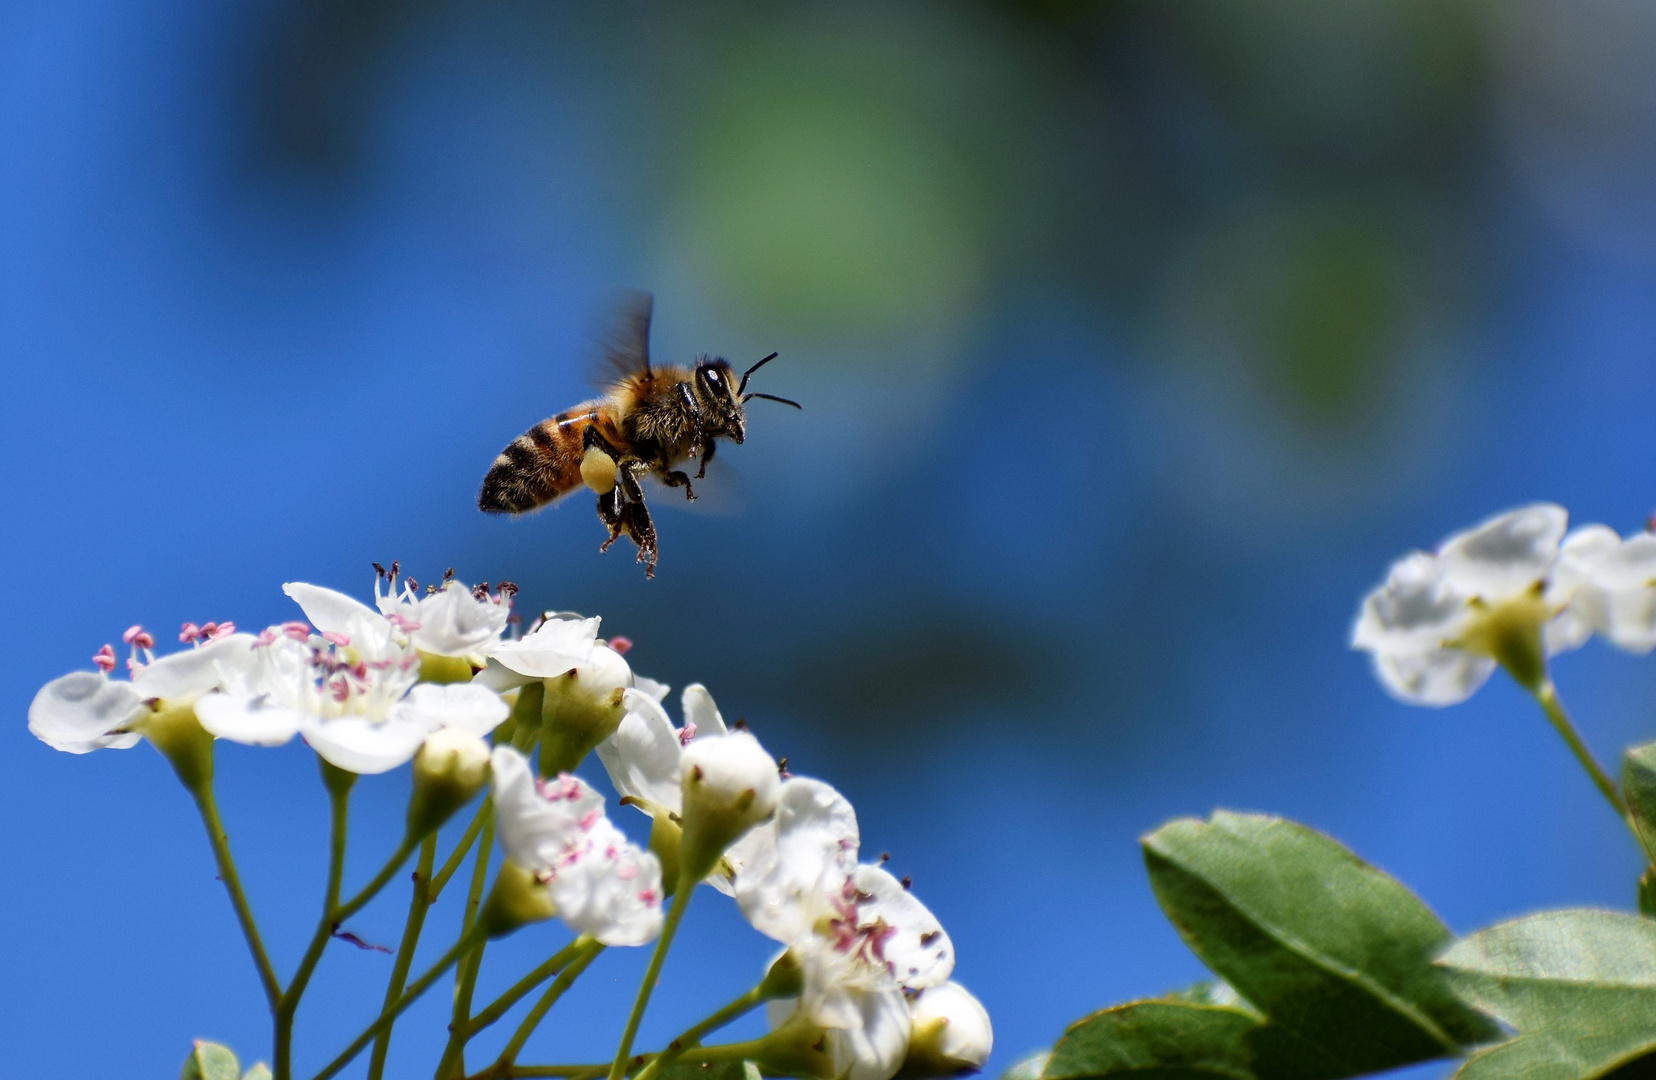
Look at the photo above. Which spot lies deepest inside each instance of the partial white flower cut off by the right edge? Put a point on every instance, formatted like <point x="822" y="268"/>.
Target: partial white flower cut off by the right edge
<point x="1612" y="586"/>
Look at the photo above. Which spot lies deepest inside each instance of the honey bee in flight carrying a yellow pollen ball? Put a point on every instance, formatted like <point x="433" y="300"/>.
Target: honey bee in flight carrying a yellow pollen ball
<point x="648" y="422"/>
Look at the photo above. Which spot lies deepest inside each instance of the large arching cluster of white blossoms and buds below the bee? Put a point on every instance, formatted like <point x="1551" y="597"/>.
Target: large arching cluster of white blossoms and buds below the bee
<point x="372" y="690"/>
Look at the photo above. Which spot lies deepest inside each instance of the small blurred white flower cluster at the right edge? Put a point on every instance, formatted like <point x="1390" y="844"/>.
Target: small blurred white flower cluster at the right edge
<point x="1513" y="592"/>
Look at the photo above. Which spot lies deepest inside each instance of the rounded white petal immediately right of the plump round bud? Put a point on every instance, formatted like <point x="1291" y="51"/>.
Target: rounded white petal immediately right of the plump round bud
<point x="801" y="861"/>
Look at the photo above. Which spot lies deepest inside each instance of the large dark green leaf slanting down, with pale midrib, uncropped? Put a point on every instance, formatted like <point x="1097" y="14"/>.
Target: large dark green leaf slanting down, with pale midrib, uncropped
<point x="1322" y="943"/>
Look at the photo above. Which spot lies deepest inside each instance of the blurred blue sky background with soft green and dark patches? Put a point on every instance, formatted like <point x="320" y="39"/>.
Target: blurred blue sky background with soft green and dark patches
<point x="1135" y="340"/>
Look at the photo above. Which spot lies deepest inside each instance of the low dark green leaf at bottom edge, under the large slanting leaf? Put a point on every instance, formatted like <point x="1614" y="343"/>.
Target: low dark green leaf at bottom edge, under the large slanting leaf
<point x="1180" y="1039"/>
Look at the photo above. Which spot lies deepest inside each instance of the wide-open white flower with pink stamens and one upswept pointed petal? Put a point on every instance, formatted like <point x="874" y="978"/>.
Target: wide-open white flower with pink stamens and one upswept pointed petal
<point x="350" y="690"/>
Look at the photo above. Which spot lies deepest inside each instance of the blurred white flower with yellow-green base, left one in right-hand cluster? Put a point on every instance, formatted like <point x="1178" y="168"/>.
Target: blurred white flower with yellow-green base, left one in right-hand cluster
<point x="1440" y="622"/>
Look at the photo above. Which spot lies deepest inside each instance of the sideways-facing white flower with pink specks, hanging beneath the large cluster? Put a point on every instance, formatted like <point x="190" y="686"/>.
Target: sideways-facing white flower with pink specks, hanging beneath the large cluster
<point x="600" y="882"/>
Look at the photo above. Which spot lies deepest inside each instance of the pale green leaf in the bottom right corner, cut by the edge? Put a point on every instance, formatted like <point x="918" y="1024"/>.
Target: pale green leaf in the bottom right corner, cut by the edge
<point x="1579" y="986"/>
